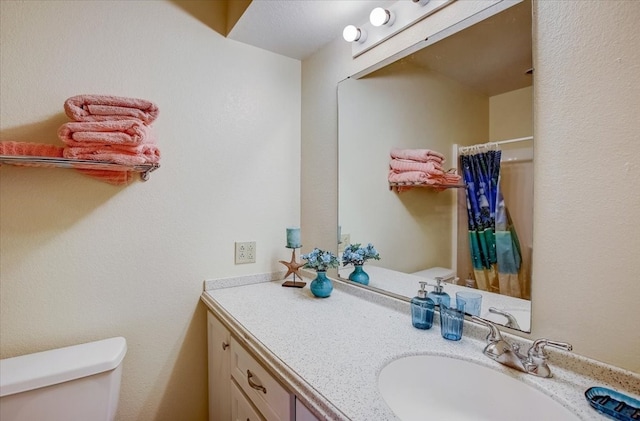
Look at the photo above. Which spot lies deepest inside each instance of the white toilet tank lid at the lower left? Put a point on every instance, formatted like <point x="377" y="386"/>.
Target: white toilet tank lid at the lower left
<point x="46" y="368"/>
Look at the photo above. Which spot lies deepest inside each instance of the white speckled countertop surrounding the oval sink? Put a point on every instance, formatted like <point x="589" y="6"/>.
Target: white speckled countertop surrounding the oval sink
<point x="329" y="351"/>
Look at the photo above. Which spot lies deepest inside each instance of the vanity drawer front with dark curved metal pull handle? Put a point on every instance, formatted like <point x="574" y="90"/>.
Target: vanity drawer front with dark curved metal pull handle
<point x="271" y="399"/>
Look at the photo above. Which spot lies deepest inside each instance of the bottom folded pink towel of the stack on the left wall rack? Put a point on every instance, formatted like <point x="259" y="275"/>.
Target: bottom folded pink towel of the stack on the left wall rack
<point x="134" y="155"/>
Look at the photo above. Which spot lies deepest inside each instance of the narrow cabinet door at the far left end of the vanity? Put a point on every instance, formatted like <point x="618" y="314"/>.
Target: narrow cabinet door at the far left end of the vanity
<point x="219" y="362"/>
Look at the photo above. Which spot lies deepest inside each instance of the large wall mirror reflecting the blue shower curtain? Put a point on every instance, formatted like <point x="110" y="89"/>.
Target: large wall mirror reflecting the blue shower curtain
<point x="469" y="94"/>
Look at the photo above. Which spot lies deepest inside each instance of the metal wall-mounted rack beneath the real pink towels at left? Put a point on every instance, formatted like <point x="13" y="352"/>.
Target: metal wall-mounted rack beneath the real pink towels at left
<point x="44" y="161"/>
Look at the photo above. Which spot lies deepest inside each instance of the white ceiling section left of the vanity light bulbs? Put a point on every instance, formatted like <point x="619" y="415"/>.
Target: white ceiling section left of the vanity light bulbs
<point x="299" y="28"/>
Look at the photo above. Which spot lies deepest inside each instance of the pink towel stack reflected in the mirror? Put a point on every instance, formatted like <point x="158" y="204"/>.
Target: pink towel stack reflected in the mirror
<point x="420" y="166"/>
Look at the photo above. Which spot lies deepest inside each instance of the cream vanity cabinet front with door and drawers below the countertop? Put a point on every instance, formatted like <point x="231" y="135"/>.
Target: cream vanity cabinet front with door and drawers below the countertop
<point x="240" y="388"/>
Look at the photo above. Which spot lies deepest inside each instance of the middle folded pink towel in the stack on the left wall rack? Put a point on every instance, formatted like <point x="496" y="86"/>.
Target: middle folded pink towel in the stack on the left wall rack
<point x="115" y="132"/>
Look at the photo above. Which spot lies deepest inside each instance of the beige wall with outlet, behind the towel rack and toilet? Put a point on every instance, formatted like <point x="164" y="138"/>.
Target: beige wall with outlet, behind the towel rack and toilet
<point x="83" y="260"/>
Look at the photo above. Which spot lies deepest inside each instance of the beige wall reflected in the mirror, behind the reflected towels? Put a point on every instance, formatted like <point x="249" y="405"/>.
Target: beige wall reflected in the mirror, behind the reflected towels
<point x="374" y="113"/>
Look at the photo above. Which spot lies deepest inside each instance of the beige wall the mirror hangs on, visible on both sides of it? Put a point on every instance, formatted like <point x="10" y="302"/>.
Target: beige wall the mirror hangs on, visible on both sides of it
<point x="587" y="166"/>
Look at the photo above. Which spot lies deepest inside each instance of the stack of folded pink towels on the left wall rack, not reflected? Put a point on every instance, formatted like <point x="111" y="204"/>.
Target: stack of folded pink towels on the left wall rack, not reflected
<point x="110" y="129"/>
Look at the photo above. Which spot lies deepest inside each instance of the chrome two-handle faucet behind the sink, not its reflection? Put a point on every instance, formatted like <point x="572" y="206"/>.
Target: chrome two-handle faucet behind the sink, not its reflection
<point x="535" y="362"/>
